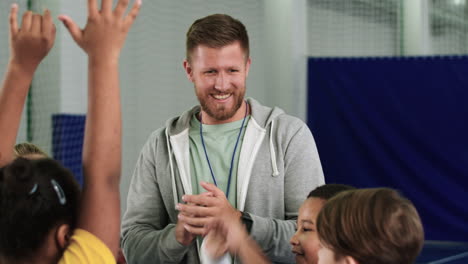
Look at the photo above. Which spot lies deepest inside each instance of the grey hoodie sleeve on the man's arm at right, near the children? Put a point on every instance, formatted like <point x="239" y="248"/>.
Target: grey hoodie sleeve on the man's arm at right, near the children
<point x="302" y="173"/>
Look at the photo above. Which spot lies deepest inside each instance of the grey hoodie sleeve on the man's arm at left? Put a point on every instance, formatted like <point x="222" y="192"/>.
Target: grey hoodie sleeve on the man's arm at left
<point x="147" y="234"/>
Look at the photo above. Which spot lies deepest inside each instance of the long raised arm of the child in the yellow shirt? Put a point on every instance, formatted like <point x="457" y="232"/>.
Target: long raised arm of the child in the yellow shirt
<point x="102" y="39"/>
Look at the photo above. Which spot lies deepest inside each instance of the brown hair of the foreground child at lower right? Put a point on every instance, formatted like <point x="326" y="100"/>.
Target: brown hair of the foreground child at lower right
<point x="372" y="226"/>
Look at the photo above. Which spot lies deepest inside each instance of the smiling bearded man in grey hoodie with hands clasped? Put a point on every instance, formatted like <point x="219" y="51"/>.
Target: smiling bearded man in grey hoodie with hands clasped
<point x="227" y="157"/>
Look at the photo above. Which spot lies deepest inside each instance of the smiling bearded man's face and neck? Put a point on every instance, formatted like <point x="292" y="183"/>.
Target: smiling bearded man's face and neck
<point x="219" y="76"/>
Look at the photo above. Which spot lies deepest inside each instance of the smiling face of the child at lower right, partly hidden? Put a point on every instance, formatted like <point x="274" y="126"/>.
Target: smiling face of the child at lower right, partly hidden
<point x="305" y="241"/>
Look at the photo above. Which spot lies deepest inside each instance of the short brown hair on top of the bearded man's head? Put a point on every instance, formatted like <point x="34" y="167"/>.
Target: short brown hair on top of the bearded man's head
<point x="216" y="31"/>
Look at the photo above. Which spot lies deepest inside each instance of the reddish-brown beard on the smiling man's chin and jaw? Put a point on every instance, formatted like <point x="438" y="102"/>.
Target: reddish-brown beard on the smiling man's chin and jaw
<point x="220" y="112"/>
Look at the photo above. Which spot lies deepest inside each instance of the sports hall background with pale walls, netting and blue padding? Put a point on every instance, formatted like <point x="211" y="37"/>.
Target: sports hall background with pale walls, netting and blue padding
<point x="382" y="84"/>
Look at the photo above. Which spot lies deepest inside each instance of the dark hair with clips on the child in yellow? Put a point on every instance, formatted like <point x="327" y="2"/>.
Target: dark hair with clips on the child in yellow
<point x="35" y="196"/>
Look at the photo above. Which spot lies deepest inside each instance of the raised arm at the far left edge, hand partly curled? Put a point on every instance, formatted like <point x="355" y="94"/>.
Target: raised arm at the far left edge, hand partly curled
<point x="28" y="46"/>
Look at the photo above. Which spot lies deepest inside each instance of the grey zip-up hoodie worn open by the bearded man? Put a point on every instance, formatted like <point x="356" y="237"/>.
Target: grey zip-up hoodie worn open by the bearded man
<point x="278" y="166"/>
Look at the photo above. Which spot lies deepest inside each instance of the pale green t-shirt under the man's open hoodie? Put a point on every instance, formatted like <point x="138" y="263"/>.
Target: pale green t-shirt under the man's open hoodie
<point x="220" y="141"/>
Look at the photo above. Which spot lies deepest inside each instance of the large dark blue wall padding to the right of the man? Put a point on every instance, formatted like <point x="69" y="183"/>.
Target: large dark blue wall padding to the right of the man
<point x="400" y="123"/>
